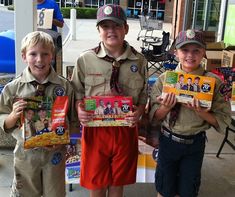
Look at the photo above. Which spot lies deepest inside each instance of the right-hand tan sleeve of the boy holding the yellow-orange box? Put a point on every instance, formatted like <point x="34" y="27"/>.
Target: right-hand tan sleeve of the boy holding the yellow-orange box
<point x="221" y="109"/>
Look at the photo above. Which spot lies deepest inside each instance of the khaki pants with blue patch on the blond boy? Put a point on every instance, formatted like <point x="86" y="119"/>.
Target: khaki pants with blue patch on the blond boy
<point x="39" y="172"/>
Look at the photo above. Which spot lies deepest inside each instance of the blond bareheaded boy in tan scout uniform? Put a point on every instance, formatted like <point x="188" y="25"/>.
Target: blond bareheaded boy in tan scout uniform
<point x="39" y="171"/>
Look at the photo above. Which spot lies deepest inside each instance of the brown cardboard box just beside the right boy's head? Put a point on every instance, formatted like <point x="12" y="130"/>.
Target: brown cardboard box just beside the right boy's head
<point x="213" y="60"/>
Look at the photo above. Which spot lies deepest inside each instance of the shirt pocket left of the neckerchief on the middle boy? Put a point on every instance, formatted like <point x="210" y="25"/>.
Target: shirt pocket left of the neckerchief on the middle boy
<point x="94" y="85"/>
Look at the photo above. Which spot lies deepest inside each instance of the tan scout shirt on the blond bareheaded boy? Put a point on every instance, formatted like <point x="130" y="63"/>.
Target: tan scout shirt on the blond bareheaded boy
<point x="21" y="88"/>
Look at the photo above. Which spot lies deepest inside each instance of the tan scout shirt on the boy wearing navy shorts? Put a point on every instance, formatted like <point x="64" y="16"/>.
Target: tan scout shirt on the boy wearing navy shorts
<point x="188" y="122"/>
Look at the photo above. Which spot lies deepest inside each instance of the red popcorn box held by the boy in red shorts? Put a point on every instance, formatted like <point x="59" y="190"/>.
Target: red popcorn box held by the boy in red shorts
<point x="108" y="110"/>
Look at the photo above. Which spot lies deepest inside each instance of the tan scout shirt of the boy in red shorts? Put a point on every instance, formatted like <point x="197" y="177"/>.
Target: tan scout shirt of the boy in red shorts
<point x="92" y="75"/>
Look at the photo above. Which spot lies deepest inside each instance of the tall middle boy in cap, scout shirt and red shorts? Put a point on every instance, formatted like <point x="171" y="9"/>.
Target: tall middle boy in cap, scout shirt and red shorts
<point x="112" y="68"/>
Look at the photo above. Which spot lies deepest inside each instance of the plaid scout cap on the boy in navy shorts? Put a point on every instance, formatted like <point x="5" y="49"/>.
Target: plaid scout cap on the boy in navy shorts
<point x="190" y="36"/>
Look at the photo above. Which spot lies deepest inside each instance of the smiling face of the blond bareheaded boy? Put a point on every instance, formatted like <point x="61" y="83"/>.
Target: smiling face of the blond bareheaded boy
<point x="38" y="58"/>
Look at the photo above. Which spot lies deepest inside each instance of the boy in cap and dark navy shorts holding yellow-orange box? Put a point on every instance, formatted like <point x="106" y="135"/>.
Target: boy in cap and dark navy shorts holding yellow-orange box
<point x="182" y="139"/>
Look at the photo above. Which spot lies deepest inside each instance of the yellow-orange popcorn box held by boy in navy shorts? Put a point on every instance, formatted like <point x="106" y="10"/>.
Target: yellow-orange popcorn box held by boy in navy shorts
<point x="188" y="86"/>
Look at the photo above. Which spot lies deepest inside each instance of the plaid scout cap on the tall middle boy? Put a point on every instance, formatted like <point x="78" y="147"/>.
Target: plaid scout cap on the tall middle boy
<point x="111" y="12"/>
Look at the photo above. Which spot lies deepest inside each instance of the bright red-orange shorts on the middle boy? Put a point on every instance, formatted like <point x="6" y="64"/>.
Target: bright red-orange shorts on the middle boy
<point x="109" y="156"/>
